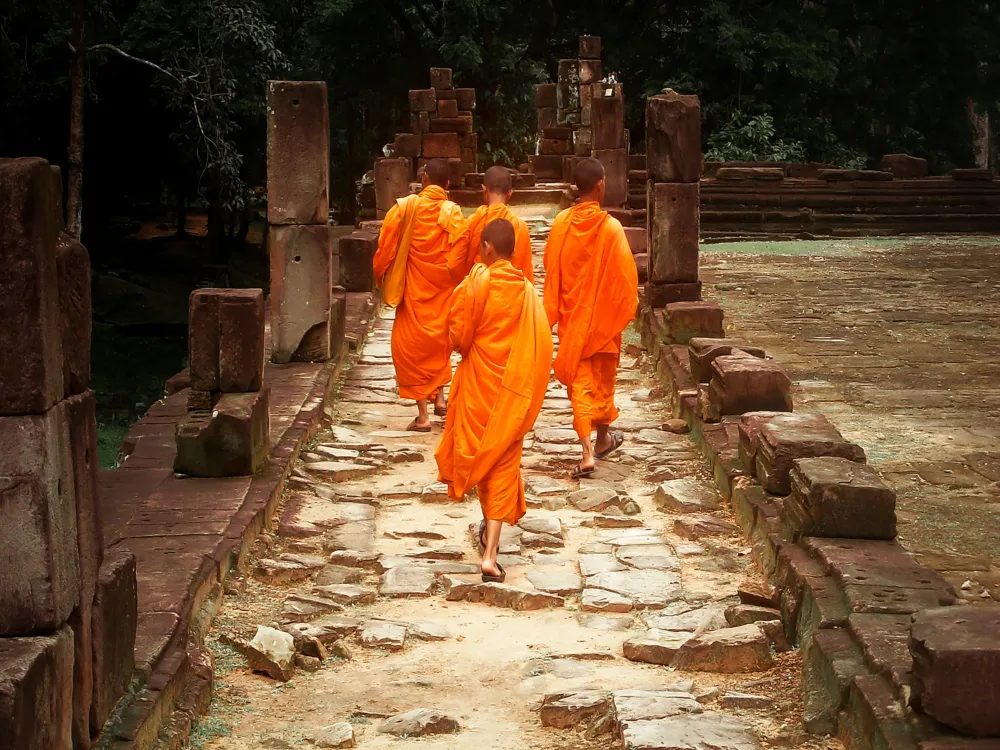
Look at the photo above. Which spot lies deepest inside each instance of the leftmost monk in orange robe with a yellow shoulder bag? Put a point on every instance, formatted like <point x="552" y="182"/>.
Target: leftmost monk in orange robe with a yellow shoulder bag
<point x="411" y="266"/>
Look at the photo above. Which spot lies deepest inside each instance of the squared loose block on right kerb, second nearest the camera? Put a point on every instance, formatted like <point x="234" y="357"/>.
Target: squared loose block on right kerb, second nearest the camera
<point x="837" y="497"/>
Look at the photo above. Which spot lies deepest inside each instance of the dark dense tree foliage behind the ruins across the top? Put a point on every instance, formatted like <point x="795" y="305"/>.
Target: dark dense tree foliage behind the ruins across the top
<point x="829" y="80"/>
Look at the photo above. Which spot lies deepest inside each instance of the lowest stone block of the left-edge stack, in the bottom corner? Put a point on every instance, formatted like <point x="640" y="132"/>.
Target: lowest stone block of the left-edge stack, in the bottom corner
<point x="36" y="692"/>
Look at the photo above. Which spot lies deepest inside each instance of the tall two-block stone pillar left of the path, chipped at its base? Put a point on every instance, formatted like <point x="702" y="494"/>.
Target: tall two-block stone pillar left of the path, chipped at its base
<point x="298" y="177"/>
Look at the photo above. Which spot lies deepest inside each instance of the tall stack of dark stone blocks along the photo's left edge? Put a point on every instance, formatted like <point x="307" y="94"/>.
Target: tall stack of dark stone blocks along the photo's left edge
<point x="54" y="605"/>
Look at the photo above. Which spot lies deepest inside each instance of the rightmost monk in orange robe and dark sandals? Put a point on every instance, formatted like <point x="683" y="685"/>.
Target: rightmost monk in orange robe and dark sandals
<point x="591" y="292"/>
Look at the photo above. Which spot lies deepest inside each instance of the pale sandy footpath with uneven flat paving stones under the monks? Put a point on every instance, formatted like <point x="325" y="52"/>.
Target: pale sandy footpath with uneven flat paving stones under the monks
<point x="491" y="666"/>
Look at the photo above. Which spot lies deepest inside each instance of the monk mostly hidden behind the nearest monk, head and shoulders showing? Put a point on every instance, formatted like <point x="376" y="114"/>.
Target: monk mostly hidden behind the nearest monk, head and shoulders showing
<point x="498" y="186"/>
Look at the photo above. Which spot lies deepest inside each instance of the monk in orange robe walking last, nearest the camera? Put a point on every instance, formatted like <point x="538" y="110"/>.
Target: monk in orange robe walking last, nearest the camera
<point x="498" y="325"/>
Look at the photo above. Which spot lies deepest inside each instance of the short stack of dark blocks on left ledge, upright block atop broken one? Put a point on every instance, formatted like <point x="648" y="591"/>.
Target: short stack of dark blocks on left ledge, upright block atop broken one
<point x="226" y="430"/>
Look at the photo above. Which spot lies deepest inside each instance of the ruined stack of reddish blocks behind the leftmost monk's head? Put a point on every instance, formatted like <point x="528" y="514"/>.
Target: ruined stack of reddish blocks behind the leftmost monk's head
<point x="441" y="127"/>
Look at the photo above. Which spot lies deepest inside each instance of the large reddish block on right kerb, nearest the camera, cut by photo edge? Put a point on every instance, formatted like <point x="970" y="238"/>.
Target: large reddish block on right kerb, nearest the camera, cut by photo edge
<point x="956" y="667"/>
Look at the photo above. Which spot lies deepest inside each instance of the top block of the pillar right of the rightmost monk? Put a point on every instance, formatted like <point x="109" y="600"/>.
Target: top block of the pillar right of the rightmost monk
<point x="673" y="138"/>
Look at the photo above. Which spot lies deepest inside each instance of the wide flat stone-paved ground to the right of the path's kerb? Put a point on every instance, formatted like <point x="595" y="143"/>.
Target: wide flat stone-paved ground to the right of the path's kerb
<point x="898" y="342"/>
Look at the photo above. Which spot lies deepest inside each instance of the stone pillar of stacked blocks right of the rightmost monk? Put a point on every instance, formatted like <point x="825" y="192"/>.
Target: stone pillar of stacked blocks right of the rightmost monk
<point x="673" y="156"/>
